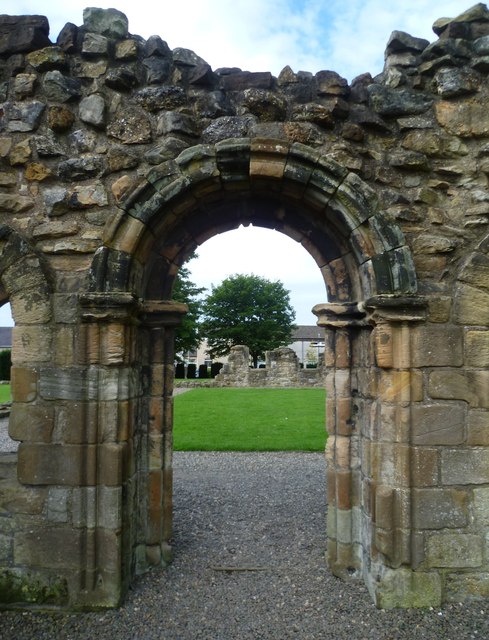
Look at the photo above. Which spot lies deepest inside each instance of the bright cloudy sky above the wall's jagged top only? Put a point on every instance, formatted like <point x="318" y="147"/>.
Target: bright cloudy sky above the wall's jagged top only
<point x="347" y="36"/>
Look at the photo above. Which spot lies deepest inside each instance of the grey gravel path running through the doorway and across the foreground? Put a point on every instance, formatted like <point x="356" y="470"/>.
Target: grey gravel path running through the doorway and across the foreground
<point x="249" y="565"/>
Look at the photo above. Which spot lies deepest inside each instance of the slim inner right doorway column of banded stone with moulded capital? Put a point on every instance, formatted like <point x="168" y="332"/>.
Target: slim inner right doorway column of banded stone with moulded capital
<point x="344" y="326"/>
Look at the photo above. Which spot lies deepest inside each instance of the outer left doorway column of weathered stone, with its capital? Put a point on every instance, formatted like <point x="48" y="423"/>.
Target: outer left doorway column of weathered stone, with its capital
<point x="103" y="508"/>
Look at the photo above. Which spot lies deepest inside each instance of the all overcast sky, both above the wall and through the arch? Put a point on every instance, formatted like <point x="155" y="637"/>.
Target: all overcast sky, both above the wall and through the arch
<point x="346" y="36"/>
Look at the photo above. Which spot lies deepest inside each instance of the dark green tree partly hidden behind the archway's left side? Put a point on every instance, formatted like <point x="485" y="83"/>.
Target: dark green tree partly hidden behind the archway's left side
<point x="184" y="290"/>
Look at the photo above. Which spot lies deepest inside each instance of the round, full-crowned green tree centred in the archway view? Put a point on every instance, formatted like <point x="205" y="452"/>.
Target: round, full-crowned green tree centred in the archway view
<point x="248" y="310"/>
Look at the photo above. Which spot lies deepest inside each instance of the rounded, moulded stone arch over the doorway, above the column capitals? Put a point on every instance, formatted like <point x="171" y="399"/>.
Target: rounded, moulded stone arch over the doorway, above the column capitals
<point x="310" y="197"/>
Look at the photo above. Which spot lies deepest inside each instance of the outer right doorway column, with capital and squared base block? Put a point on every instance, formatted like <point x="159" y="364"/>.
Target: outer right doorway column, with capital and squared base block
<point x="387" y="457"/>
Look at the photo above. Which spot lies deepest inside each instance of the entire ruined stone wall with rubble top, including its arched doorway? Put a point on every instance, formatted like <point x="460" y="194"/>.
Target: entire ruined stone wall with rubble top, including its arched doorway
<point x="118" y="158"/>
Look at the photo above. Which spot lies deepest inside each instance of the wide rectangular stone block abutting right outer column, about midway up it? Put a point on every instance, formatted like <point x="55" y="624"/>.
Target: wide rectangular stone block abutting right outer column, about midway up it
<point x="438" y="424"/>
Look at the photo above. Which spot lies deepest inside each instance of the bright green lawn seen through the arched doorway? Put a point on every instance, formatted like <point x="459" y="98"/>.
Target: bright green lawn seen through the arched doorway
<point x="217" y="419"/>
